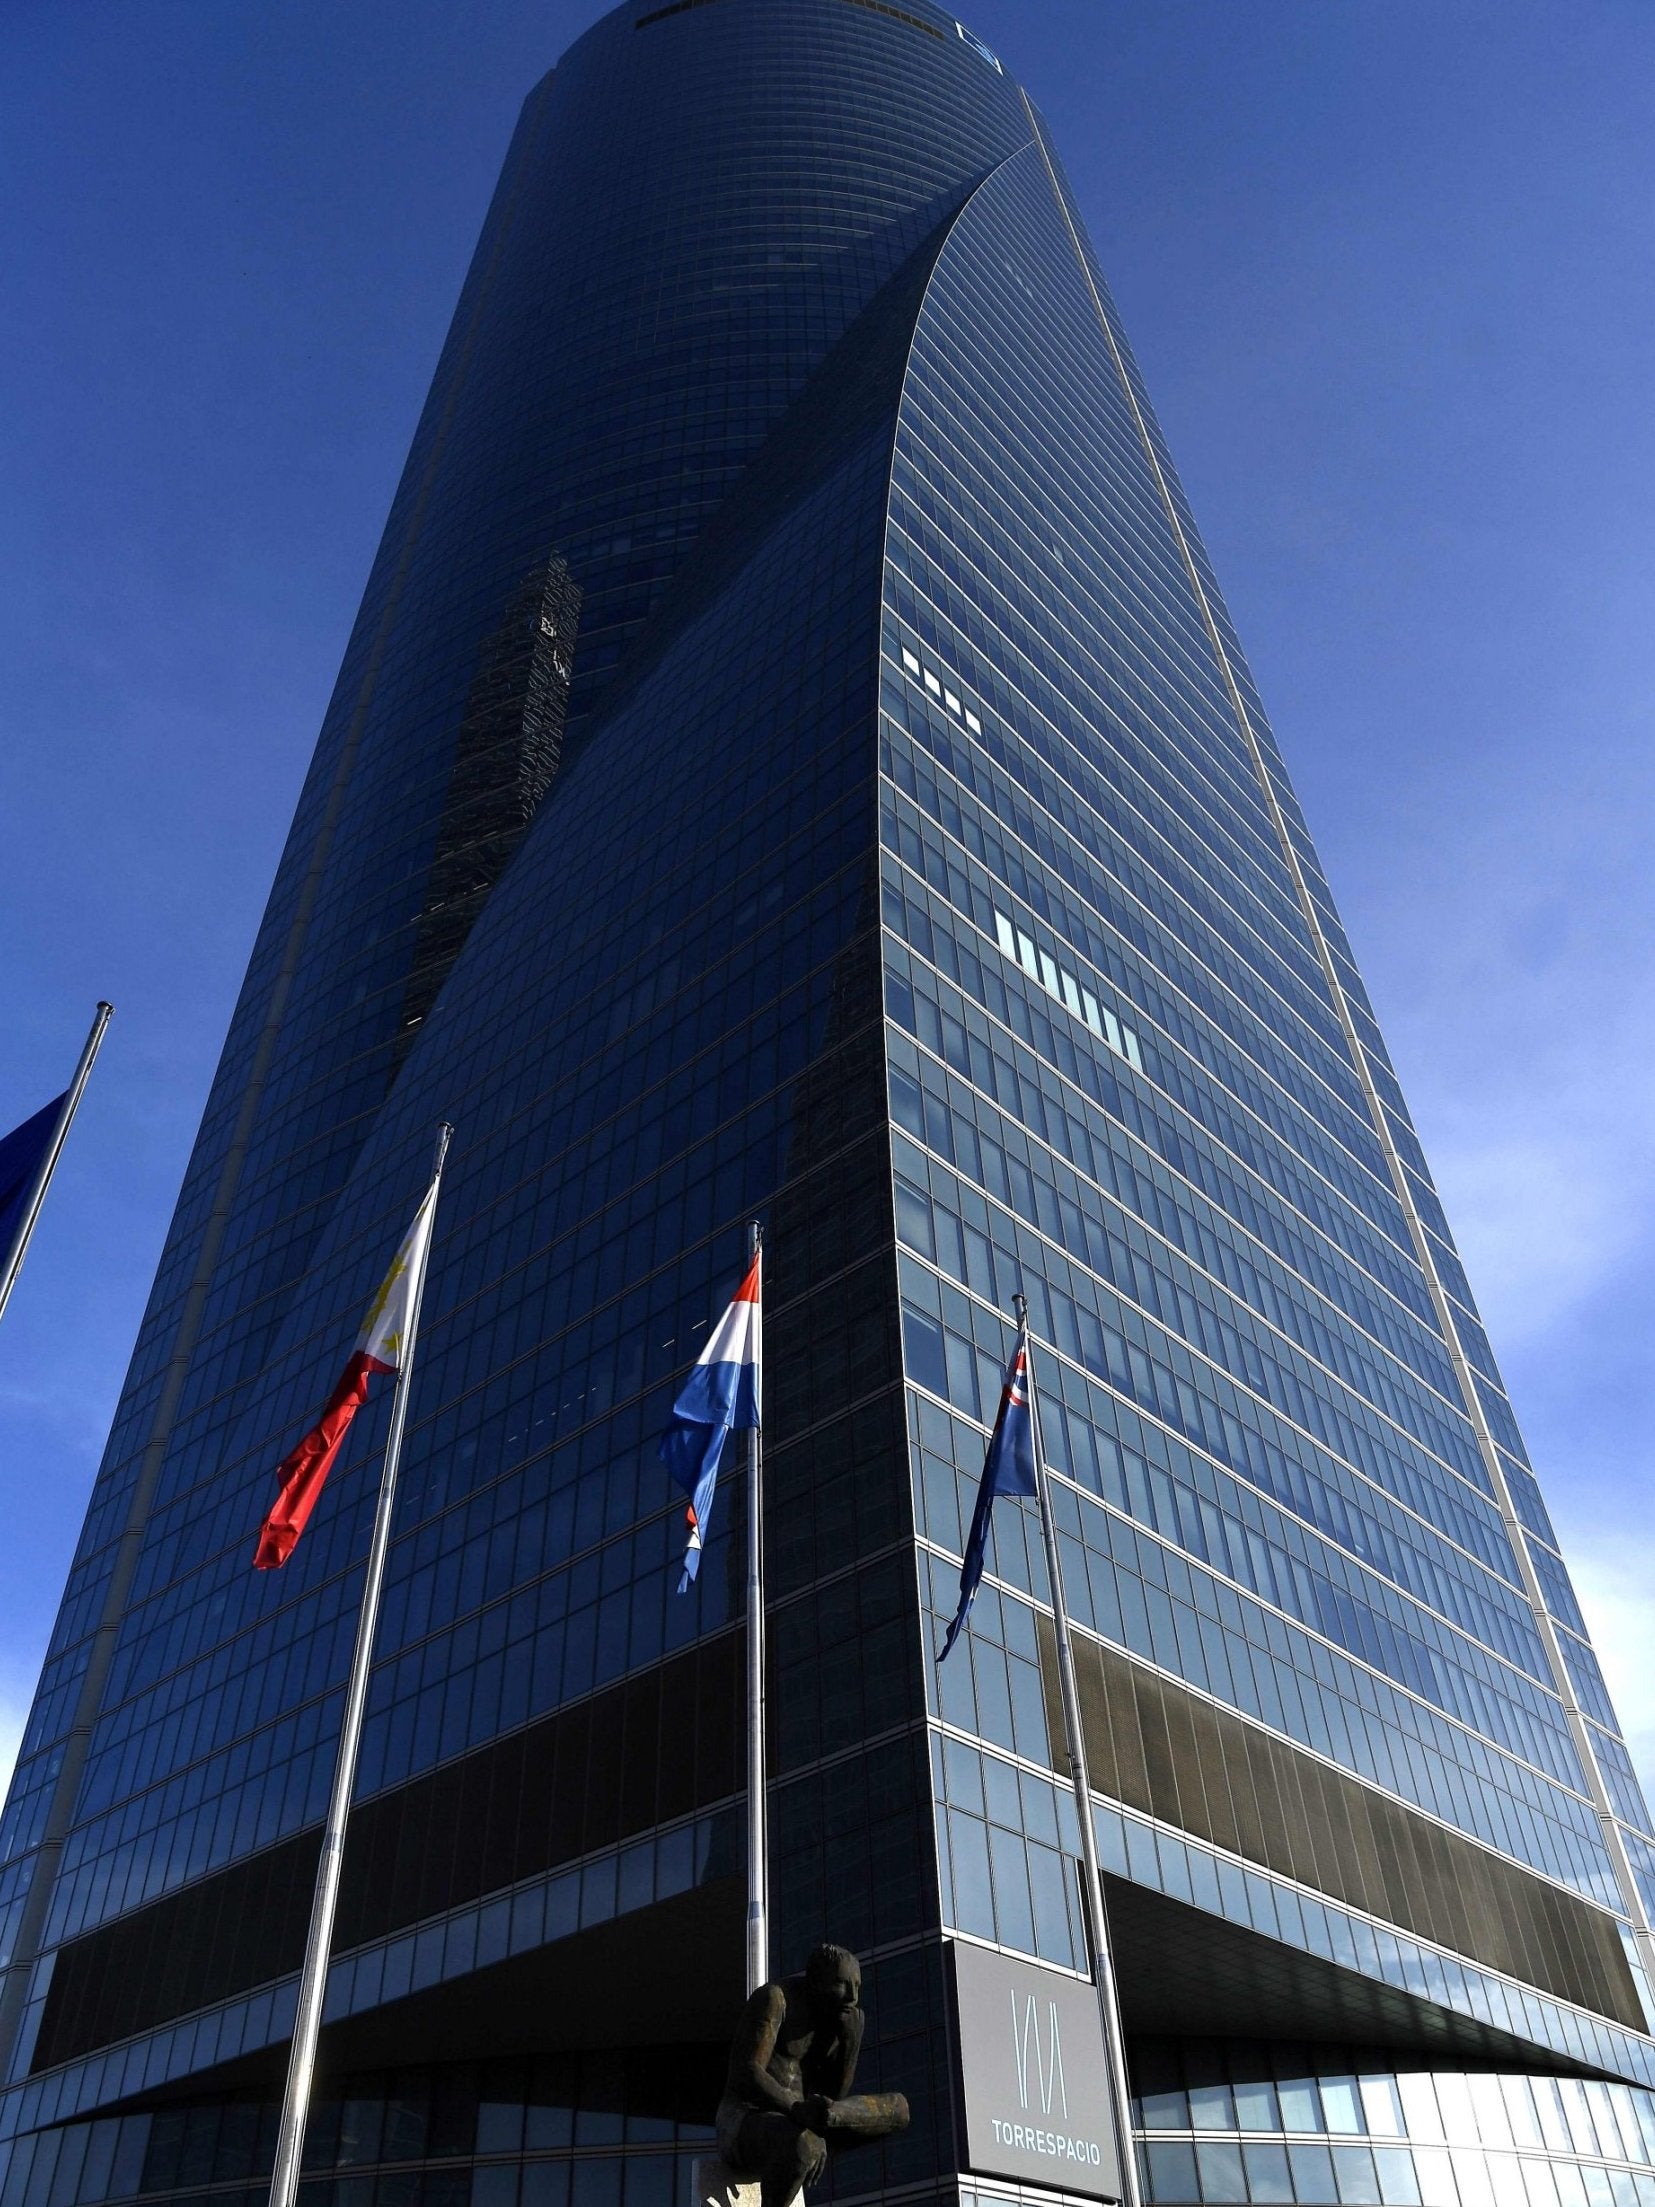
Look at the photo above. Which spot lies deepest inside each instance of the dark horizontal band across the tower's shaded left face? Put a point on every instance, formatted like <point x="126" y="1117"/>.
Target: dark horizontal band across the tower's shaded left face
<point x="637" y="1756"/>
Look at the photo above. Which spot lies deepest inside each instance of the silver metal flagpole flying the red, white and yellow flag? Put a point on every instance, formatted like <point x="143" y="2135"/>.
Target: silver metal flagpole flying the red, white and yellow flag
<point x="312" y="1985"/>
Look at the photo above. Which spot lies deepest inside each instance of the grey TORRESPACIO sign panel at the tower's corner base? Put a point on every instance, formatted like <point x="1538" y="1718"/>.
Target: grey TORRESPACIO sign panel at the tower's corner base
<point x="1034" y="2076"/>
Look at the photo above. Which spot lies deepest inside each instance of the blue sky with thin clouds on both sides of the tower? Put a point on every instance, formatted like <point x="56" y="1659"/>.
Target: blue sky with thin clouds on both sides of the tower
<point x="1387" y="270"/>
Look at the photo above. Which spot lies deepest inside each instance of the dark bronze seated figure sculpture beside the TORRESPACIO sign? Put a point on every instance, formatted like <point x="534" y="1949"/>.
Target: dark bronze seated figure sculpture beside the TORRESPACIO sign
<point x="787" y="2098"/>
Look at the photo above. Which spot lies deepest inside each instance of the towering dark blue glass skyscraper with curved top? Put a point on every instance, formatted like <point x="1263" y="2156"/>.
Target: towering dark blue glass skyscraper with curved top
<point x="793" y="760"/>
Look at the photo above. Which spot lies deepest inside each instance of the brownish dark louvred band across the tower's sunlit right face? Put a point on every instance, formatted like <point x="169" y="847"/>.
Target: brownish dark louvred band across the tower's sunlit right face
<point x="1177" y="1758"/>
